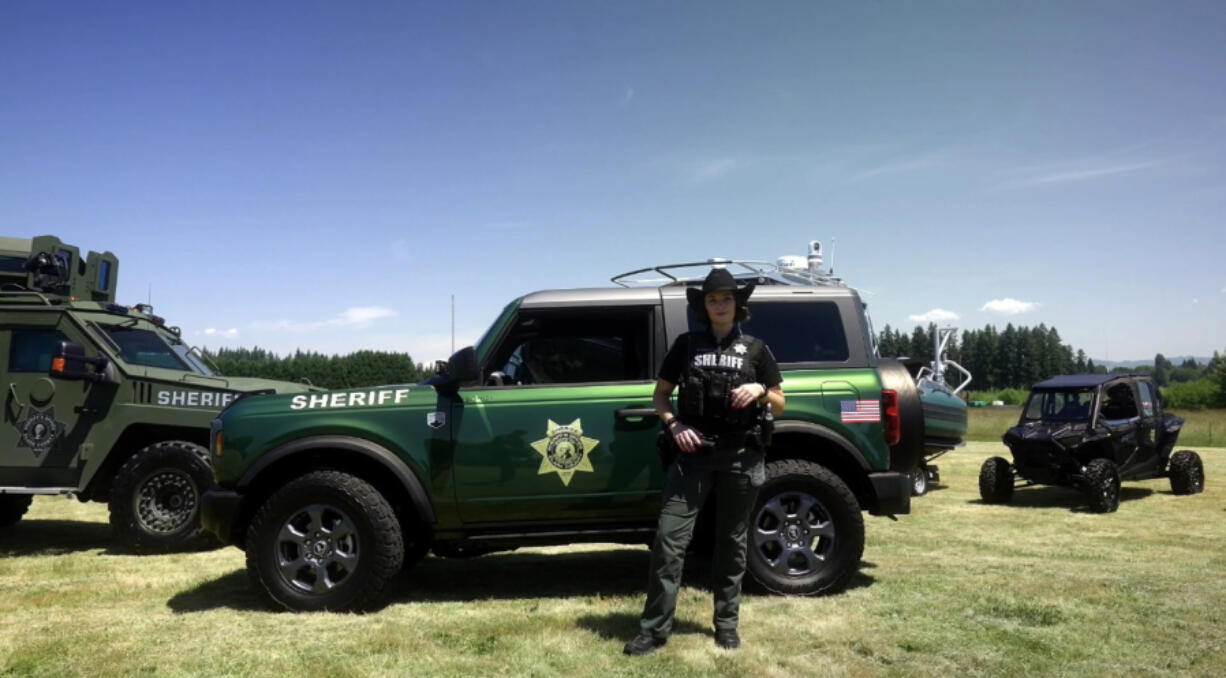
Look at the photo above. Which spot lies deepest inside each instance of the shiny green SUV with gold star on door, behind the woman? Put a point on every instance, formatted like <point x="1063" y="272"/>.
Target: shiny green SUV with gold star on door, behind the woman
<point x="544" y="433"/>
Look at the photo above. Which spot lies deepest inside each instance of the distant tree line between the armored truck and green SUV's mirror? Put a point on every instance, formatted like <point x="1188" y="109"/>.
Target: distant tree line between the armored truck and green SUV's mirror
<point x="357" y="370"/>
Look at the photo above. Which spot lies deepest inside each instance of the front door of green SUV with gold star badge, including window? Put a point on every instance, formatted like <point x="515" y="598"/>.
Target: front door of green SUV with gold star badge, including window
<point x="563" y="429"/>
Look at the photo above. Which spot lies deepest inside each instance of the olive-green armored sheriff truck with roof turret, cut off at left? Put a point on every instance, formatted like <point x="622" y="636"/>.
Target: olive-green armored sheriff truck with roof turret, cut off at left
<point x="102" y="402"/>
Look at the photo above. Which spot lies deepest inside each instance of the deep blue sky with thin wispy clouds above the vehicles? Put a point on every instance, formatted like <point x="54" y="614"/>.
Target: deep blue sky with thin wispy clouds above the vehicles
<point x="324" y="176"/>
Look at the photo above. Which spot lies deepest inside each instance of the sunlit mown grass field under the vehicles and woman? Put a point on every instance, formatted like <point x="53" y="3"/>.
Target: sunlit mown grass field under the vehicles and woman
<point x="1039" y="588"/>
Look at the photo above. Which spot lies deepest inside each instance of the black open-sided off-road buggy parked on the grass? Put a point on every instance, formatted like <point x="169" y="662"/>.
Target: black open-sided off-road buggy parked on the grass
<point x="1089" y="432"/>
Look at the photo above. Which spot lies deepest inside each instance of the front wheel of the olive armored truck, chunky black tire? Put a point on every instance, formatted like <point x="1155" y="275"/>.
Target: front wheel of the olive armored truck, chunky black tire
<point x="155" y="500"/>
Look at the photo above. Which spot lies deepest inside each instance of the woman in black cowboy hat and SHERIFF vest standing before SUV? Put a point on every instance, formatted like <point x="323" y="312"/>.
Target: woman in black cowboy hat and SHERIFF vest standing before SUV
<point x="728" y="382"/>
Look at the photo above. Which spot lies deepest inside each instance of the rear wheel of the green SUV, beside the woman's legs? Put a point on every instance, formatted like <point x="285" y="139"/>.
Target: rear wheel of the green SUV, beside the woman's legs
<point x="806" y="531"/>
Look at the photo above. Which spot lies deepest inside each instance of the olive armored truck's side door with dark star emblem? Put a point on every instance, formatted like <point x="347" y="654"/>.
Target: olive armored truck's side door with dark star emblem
<point x="46" y="421"/>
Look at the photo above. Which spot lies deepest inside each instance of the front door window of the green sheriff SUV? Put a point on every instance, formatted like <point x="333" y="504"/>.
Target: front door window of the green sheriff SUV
<point x="577" y="348"/>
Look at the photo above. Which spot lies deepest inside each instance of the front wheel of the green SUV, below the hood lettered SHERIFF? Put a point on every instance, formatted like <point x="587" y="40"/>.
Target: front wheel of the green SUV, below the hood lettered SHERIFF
<point x="327" y="541"/>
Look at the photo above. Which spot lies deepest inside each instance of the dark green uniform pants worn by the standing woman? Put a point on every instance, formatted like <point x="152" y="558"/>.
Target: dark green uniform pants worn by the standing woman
<point x="735" y="478"/>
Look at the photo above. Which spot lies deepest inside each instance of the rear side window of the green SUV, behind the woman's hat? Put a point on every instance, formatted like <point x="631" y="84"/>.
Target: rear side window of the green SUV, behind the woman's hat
<point x="796" y="333"/>
